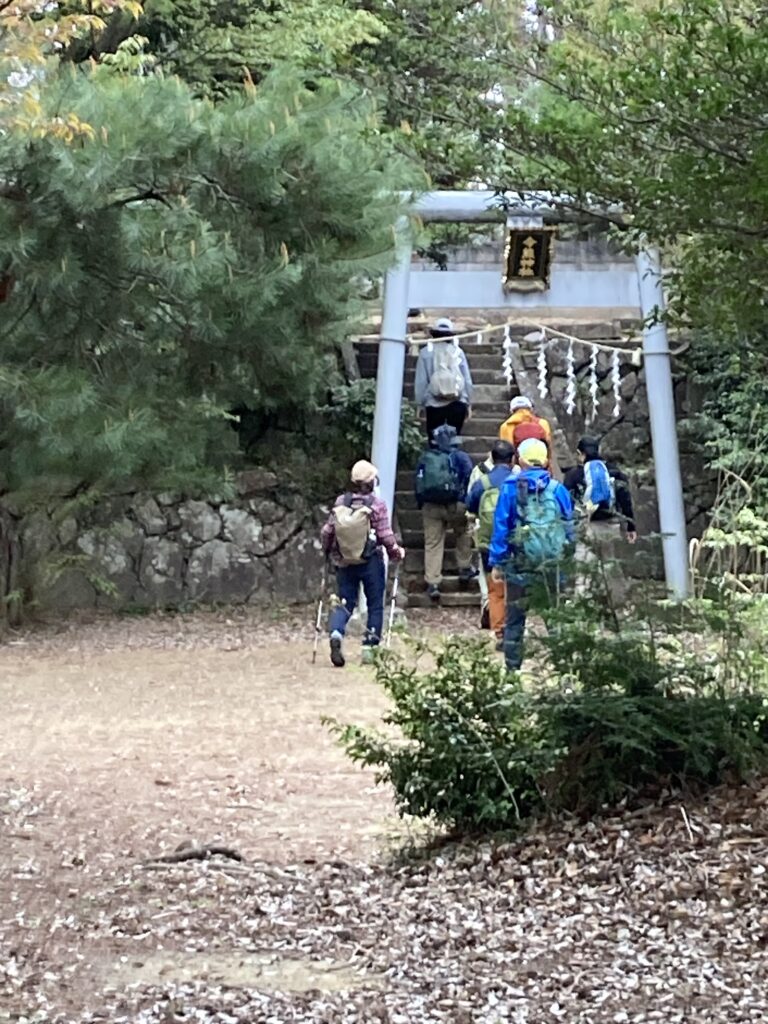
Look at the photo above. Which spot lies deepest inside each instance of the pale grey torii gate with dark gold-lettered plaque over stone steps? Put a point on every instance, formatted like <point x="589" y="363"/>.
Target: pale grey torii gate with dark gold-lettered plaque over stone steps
<point x="639" y="287"/>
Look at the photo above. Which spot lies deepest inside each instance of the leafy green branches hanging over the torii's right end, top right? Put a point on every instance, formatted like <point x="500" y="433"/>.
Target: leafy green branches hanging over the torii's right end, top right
<point x="657" y="107"/>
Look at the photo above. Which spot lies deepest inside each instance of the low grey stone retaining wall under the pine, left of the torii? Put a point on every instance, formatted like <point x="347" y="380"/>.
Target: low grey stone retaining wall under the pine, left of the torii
<point x="141" y="550"/>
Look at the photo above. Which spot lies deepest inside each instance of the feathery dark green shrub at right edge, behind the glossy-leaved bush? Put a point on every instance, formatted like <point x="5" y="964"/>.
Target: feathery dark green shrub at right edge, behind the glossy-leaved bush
<point x="676" y="699"/>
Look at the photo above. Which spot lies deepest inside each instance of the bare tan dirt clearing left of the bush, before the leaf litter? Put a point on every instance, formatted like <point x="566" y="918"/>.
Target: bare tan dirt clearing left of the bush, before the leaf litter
<point x="139" y="748"/>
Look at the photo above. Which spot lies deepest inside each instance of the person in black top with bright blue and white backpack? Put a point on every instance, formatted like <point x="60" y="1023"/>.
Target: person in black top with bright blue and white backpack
<point x="603" y="492"/>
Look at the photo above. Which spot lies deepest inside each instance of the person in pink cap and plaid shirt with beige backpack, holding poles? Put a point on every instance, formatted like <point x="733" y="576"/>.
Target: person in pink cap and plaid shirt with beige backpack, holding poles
<point x="357" y="534"/>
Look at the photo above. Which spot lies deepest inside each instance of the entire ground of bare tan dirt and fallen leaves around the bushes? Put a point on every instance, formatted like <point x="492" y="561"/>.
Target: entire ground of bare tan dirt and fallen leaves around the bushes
<point x="123" y="740"/>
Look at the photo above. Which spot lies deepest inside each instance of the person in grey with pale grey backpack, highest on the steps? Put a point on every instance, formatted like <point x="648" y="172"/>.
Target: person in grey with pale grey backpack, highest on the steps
<point x="444" y="383"/>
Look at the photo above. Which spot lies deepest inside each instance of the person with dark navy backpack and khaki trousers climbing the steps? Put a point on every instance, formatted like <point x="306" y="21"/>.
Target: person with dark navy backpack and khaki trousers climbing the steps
<point x="442" y="479"/>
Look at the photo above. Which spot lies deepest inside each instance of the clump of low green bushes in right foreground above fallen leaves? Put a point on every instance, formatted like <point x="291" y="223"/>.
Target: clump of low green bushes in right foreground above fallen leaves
<point x="620" y="713"/>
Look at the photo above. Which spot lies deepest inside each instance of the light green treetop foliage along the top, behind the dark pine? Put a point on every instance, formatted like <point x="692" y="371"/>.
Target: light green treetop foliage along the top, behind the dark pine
<point x="435" y="68"/>
